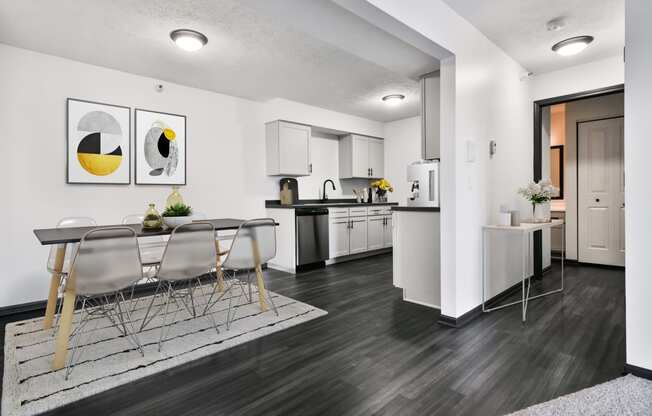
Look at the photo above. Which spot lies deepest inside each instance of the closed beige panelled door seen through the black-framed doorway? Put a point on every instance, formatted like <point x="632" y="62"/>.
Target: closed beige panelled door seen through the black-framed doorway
<point x="601" y="192"/>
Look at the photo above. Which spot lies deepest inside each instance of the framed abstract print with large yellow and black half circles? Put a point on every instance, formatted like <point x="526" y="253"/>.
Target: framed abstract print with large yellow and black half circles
<point x="98" y="143"/>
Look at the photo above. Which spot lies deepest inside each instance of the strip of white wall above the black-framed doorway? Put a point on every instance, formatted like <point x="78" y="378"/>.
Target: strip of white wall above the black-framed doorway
<point x="590" y="76"/>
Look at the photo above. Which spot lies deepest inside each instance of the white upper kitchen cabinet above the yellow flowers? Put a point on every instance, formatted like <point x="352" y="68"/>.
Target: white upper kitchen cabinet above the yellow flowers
<point x="361" y="157"/>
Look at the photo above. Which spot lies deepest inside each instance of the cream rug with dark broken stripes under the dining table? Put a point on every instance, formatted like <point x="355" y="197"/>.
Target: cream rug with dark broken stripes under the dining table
<point x="108" y="359"/>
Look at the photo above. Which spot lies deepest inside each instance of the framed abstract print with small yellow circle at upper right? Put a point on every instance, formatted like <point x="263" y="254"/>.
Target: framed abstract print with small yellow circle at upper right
<point x="160" y="148"/>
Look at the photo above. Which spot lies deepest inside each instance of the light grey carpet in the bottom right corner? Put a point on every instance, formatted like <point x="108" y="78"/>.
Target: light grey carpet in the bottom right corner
<point x="627" y="395"/>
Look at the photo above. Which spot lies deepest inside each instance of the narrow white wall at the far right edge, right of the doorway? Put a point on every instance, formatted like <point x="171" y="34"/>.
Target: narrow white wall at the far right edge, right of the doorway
<point x="638" y="147"/>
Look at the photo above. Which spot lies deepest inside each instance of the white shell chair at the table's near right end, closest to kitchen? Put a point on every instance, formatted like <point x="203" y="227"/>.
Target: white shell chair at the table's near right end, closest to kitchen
<point x="259" y="235"/>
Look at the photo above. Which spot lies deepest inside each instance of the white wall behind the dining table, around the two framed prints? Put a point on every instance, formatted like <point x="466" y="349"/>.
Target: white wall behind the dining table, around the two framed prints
<point x="226" y="169"/>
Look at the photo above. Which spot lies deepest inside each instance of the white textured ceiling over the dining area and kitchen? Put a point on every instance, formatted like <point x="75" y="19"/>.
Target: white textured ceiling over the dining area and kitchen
<point x="311" y="52"/>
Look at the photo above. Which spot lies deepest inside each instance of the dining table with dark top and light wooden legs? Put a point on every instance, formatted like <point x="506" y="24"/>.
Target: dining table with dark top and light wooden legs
<point x="65" y="237"/>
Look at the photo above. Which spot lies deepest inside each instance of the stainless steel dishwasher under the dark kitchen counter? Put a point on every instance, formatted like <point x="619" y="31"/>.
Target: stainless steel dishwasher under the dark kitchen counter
<point x="312" y="235"/>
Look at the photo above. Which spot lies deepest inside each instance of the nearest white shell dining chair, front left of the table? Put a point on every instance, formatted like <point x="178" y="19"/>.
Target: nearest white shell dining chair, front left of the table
<point x="106" y="264"/>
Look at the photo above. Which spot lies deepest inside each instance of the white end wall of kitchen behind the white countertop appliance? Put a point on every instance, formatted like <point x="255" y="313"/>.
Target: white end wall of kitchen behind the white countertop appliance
<point x="402" y="147"/>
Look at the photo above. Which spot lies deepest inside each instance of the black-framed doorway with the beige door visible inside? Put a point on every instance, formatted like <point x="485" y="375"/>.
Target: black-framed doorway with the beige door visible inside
<point x="594" y="116"/>
